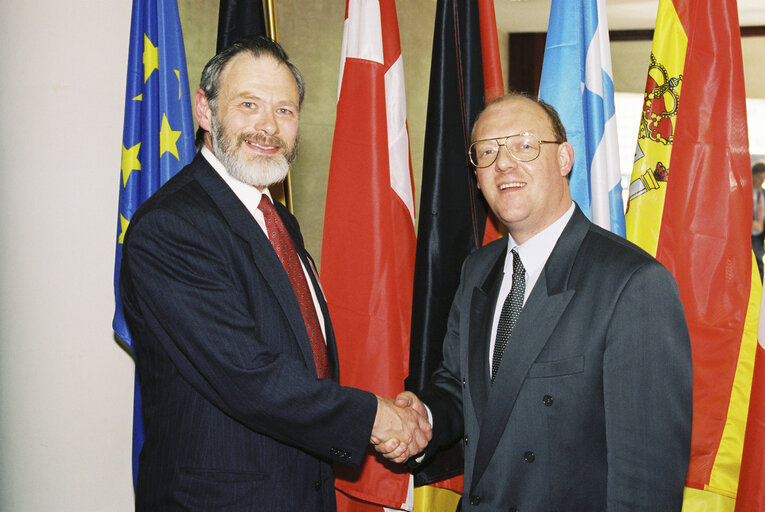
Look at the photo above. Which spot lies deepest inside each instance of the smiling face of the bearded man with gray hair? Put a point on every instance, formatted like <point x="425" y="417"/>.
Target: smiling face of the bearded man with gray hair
<point x="253" y="122"/>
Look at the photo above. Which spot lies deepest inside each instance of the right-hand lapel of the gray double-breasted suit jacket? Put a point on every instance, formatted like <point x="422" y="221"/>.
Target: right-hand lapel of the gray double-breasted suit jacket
<point x="539" y="317"/>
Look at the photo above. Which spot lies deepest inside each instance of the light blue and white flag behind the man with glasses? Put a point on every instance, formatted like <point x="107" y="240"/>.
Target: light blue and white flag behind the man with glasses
<point x="577" y="80"/>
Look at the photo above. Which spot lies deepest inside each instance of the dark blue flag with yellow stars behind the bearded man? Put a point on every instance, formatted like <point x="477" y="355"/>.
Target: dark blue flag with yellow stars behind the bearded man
<point x="158" y="136"/>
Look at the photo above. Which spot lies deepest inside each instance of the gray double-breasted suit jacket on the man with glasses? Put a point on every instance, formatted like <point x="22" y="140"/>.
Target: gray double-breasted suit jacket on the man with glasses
<point x="591" y="407"/>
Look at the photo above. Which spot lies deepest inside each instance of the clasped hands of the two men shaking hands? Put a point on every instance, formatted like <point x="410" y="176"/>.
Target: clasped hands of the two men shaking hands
<point x="401" y="429"/>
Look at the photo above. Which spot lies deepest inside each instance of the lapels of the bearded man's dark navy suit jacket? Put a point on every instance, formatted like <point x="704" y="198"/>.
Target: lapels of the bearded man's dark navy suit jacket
<point x="264" y="258"/>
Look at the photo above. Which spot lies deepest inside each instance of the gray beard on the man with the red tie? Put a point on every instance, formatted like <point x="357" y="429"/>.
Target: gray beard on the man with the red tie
<point x="261" y="172"/>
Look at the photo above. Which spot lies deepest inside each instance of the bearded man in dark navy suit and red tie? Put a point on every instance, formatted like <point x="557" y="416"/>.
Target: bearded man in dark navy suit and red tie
<point x="234" y="349"/>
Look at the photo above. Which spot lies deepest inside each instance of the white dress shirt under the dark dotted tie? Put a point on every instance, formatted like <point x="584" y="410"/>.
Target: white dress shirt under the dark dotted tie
<point x="534" y="253"/>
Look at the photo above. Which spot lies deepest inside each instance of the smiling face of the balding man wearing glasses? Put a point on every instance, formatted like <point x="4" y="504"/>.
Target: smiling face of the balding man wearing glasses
<point x="525" y="196"/>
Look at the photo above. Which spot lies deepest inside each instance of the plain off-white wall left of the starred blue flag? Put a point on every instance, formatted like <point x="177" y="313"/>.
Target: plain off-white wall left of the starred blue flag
<point x="65" y="386"/>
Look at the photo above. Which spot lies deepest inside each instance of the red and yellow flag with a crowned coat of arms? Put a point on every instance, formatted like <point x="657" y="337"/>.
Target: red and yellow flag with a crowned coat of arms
<point x="690" y="204"/>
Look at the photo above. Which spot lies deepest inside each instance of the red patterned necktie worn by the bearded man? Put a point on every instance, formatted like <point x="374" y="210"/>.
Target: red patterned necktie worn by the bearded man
<point x="285" y="250"/>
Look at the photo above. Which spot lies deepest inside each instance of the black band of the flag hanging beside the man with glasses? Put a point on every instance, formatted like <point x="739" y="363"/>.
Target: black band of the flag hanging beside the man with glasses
<point x="452" y="209"/>
